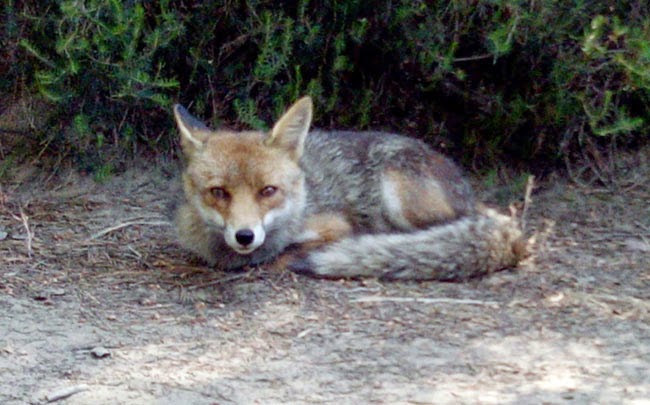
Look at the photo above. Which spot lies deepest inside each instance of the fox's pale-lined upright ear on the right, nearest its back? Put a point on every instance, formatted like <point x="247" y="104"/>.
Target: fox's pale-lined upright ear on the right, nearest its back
<point x="291" y="130"/>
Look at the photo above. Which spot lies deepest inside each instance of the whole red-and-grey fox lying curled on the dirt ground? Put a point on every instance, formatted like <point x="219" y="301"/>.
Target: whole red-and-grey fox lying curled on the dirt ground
<point x="349" y="204"/>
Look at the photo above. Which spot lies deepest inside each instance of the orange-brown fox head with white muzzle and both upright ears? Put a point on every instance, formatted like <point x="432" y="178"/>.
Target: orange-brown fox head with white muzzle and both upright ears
<point x="245" y="184"/>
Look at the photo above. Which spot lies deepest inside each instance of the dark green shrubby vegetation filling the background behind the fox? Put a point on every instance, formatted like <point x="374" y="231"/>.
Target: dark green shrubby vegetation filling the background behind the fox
<point x="538" y="84"/>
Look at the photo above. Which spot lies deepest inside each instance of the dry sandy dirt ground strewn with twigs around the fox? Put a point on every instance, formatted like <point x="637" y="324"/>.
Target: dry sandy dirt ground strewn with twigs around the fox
<point x="99" y="306"/>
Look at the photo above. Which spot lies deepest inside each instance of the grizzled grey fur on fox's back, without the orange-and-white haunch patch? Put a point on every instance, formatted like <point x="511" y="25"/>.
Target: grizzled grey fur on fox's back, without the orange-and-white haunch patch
<point x="343" y="173"/>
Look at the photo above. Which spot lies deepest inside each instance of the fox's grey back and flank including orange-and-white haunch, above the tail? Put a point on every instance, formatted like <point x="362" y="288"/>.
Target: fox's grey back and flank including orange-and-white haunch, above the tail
<point x="382" y="182"/>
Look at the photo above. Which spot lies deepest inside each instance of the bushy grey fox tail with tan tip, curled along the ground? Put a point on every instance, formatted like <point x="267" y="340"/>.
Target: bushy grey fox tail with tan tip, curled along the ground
<point x="463" y="249"/>
